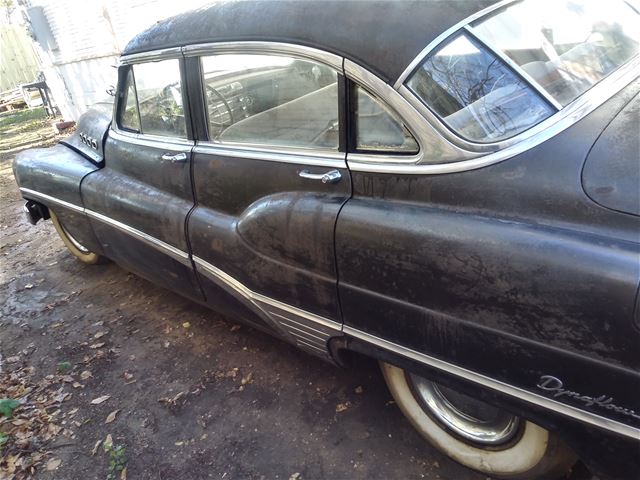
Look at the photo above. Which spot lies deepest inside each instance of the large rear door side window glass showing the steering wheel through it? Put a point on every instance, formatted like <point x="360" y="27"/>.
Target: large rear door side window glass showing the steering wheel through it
<point x="271" y="100"/>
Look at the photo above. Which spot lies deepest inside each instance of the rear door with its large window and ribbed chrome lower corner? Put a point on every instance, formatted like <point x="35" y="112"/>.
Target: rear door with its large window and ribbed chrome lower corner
<point x="270" y="179"/>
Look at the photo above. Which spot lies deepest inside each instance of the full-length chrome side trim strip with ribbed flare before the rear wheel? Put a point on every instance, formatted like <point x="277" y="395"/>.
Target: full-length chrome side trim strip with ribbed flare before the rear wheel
<point x="311" y="332"/>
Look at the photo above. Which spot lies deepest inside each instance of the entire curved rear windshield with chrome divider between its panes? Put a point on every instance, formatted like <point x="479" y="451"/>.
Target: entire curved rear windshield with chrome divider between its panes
<point x="510" y="71"/>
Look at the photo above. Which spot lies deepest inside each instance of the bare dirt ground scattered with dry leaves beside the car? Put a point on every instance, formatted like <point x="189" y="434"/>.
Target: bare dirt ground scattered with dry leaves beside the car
<point x="195" y="395"/>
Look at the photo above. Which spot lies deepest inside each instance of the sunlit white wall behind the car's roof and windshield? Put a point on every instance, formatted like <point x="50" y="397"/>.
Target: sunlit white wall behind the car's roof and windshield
<point x="90" y="34"/>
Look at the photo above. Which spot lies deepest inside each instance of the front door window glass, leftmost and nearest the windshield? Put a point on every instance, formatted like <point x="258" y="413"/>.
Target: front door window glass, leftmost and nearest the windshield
<point x="160" y="98"/>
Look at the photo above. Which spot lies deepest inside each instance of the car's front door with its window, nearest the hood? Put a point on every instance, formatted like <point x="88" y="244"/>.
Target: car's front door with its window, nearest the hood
<point x="138" y="203"/>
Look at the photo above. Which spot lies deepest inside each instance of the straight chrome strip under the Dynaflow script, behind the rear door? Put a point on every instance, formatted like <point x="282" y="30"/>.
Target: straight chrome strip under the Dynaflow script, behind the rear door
<point x="520" y="393"/>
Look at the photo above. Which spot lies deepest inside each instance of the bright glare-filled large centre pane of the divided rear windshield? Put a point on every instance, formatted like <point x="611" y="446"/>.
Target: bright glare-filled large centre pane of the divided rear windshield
<point x="567" y="46"/>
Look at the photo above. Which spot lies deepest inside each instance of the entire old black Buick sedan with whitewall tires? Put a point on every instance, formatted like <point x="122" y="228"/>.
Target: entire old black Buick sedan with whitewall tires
<point x="449" y="187"/>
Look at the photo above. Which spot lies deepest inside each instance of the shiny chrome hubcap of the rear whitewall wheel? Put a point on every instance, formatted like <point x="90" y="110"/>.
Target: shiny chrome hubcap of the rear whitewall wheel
<point x="471" y="419"/>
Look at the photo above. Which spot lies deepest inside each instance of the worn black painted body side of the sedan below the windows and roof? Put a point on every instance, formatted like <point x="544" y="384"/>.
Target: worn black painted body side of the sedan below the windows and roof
<point x="481" y="278"/>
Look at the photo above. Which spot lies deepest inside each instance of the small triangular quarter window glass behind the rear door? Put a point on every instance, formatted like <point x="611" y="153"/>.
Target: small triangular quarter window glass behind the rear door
<point x="378" y="128"/>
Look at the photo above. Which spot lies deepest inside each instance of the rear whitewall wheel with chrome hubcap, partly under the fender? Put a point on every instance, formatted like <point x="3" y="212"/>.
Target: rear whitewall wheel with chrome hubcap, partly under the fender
<point x="476" y="434"/>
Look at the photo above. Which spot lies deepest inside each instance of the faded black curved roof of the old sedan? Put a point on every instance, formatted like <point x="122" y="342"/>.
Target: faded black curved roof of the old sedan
<point x="385" y="35"/>
